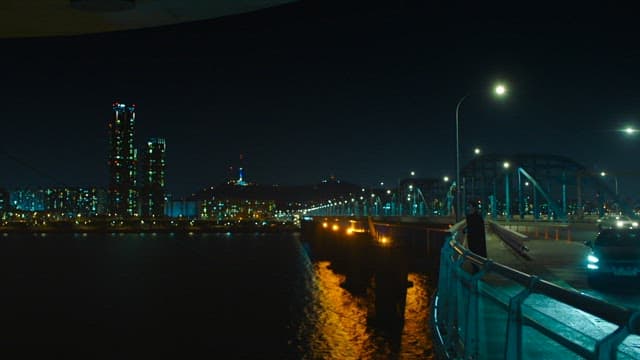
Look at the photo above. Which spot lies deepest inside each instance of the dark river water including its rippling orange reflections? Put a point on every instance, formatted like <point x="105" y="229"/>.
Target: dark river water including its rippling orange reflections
<point x="236" y="296"/>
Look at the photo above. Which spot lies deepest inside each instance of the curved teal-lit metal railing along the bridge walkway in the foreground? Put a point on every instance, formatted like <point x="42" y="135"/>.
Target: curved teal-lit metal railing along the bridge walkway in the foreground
<point x="502" y="313"/>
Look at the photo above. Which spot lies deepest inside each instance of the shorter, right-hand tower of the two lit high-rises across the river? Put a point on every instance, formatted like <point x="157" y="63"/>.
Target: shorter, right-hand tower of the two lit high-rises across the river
<point x="153" y="178"/>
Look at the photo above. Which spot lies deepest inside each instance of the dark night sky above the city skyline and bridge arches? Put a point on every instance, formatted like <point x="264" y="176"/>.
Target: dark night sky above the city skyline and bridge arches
<point x="364" y="92"/>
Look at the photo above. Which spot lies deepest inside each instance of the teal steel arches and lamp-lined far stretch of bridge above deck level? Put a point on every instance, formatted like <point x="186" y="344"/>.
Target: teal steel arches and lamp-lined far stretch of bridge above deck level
<point x="505" y="186"/>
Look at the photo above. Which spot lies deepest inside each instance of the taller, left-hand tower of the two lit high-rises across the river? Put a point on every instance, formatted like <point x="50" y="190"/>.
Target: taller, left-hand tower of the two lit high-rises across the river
<point x="122" y="161"/>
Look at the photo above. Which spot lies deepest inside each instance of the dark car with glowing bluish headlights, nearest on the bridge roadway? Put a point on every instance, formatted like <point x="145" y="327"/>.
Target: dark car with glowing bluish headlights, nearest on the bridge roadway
<point x="615" y="253"/>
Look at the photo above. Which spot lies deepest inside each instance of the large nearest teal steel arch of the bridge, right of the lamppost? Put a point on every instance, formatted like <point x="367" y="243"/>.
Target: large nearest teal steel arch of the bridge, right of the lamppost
<point x="537" y="185"/>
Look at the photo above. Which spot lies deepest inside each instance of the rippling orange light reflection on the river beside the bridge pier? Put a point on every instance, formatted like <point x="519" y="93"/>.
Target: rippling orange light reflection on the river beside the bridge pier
<point x="335" y="325"/>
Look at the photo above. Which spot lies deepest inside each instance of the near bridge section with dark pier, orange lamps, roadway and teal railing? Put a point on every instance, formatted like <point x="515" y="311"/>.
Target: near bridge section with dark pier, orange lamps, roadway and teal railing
<point x="529" y="301"/>
